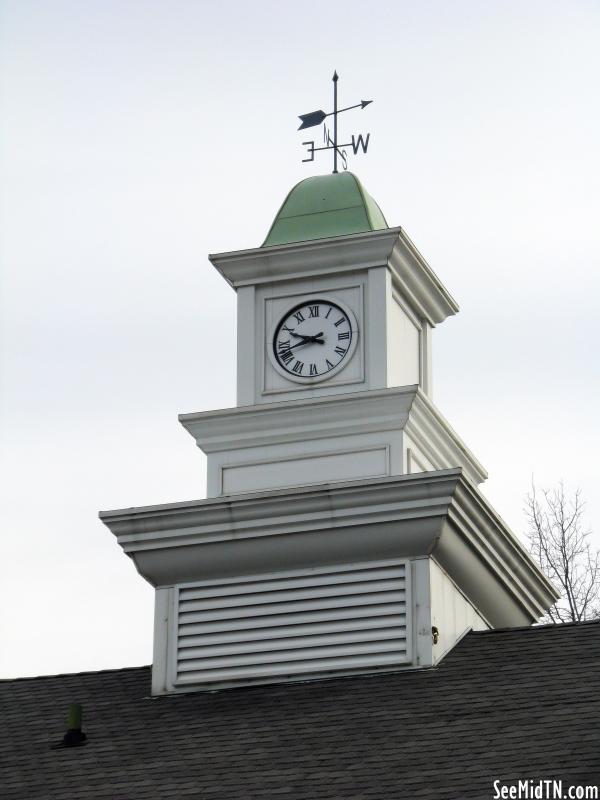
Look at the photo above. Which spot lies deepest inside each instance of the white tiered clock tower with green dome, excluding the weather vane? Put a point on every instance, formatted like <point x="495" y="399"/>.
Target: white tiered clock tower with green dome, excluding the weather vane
<point x="343" y="530"/>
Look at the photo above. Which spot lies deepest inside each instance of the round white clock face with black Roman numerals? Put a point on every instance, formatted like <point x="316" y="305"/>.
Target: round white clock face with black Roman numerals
<point x="313" y="340"/>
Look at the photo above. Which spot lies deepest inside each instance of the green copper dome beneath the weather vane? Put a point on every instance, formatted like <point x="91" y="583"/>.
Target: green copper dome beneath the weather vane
<point x="323" y="206"/>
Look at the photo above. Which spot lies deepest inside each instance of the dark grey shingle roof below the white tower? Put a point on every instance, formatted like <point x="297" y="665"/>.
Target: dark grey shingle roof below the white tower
<point x="509" y="705"/>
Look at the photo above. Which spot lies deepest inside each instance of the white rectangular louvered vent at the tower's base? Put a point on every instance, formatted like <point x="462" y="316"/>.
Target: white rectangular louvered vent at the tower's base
<point x="291" y="624"/>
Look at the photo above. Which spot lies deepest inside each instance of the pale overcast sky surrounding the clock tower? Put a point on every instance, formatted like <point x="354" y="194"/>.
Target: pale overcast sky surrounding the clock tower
<point x="136" y="137"/>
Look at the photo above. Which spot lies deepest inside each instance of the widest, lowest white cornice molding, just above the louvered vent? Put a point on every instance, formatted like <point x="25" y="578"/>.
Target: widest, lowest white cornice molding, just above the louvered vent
<point x="440" y="514"/>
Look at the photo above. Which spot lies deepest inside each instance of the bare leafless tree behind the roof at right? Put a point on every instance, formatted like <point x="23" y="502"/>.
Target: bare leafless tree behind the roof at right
<point x="559" y="543"/>
